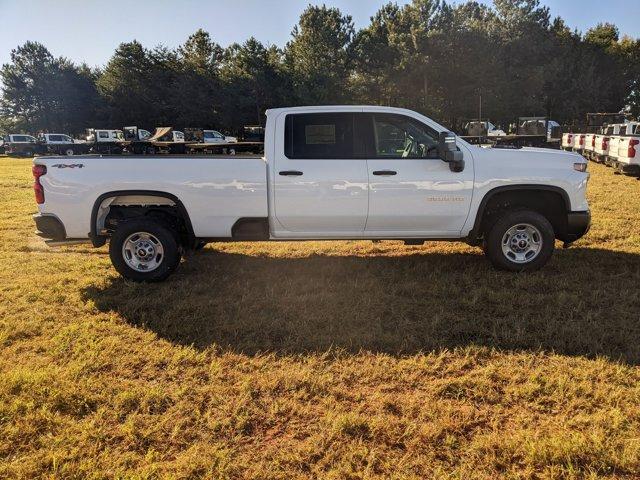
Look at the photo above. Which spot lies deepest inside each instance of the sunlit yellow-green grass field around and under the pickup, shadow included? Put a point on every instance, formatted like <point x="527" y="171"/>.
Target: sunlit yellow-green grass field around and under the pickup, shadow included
<point x="322" y="360"/>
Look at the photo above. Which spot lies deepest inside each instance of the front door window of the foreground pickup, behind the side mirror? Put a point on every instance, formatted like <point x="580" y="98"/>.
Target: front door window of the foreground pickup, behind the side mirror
<point x="397" y="136"/>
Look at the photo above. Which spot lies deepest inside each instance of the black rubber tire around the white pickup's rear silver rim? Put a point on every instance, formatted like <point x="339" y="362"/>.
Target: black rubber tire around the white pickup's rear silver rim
<point x="169" y="259"/>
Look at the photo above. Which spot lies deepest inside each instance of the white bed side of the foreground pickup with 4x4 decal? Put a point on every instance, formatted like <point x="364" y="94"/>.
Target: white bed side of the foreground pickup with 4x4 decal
<point x="216" y="190"/>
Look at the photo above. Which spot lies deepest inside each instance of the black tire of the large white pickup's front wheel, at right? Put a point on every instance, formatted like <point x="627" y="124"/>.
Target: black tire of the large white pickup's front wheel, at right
<point x="520" y="221"/>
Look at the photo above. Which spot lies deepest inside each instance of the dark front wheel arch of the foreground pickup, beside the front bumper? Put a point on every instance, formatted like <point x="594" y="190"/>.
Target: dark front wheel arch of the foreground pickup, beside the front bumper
<point x="551" y="201"/>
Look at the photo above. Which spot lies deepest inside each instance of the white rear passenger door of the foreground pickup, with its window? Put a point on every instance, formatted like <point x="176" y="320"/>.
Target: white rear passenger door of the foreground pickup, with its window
<point x="320" y="178"/>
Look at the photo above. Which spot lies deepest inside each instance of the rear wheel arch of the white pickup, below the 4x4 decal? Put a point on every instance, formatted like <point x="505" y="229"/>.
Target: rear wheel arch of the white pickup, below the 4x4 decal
<point x="101" y="208"/>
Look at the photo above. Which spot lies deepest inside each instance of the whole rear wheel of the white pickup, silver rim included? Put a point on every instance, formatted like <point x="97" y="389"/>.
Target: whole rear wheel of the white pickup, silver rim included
<point x="143" y="250"/>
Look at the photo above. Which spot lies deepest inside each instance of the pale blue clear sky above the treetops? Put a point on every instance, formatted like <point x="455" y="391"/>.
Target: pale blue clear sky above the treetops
<point x="90" y="30"/>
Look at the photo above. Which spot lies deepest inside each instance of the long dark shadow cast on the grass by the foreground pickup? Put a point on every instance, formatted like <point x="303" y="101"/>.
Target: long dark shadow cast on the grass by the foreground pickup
<point x="585" y="302"/>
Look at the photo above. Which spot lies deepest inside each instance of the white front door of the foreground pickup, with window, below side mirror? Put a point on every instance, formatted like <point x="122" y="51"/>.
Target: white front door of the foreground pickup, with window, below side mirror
<point x="412" y="192"/>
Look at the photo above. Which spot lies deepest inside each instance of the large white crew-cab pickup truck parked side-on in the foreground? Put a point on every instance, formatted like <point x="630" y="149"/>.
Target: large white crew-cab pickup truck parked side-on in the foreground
<point x="340" y="172"/>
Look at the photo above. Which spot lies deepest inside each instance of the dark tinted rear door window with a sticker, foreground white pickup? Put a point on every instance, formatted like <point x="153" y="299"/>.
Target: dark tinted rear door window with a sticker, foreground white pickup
<point x="320" y="135"/>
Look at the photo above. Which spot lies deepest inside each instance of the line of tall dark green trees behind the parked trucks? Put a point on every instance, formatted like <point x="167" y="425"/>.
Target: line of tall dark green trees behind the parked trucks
<point x="430" y="56"/>
